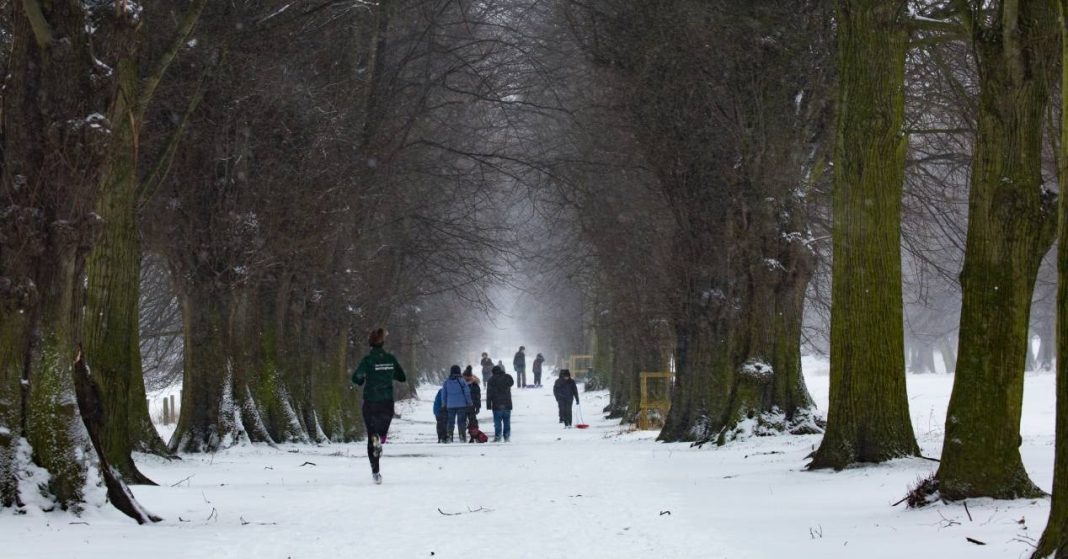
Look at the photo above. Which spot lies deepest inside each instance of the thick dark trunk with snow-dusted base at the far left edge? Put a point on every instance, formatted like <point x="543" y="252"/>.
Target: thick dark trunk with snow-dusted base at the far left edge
<point x="55" y="141"/>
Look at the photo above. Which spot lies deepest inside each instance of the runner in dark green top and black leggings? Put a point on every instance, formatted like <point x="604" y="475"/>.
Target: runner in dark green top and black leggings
<point x="379" y="370"/>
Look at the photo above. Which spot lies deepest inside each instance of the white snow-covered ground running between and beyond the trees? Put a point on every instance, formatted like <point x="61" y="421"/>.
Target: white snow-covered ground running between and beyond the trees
<point x="555" y="493"/>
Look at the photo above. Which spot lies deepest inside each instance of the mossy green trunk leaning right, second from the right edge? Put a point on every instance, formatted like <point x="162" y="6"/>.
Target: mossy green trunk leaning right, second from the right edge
<point x="1012" y="224"/>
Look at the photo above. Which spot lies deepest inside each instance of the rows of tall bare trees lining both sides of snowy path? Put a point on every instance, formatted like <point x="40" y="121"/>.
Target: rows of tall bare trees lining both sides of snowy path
<point x="235" y="193"/>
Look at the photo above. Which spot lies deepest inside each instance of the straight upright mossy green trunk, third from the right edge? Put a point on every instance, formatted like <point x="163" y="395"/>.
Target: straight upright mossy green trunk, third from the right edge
<point x="869" y="416"/>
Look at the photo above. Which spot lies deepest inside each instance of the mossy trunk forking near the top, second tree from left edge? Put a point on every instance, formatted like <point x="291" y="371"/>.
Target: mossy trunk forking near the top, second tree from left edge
<point x="113" y="330"/>
